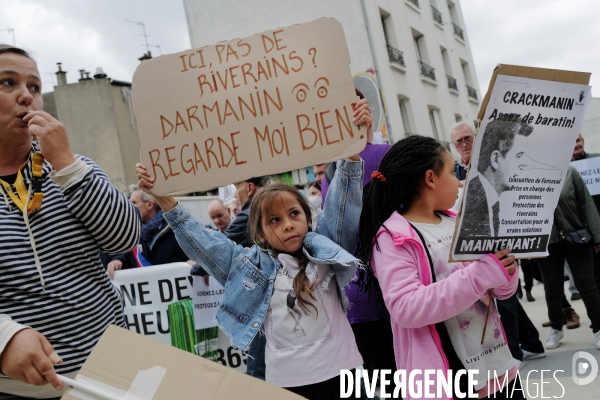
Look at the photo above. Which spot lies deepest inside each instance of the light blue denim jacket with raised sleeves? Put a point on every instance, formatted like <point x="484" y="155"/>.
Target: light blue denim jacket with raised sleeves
<point x="248" y="273"/>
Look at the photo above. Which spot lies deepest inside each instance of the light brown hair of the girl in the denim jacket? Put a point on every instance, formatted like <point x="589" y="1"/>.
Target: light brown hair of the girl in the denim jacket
<point x="261" y="203"/>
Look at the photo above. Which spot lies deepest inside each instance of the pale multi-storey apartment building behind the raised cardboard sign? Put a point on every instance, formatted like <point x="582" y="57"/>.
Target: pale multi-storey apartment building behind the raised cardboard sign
<point x="410" y="57"/>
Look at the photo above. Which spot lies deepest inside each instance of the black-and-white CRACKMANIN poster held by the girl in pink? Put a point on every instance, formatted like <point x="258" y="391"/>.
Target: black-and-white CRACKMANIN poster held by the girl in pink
<point x="530" y="119"/>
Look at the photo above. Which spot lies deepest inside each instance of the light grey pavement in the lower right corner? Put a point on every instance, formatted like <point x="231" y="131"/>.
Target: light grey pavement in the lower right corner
<point x="559" y="362"/>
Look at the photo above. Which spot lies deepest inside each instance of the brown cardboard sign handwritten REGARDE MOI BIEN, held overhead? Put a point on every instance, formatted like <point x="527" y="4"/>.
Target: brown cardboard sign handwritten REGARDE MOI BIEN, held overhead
<point x="273" y="102"/>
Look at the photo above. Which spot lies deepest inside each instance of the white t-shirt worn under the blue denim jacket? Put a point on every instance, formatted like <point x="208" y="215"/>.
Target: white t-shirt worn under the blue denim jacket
<point x="307" y="347"/>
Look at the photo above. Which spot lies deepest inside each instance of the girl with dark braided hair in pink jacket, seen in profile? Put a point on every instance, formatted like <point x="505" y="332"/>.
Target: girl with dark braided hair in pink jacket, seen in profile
<point x="438" y="308"/>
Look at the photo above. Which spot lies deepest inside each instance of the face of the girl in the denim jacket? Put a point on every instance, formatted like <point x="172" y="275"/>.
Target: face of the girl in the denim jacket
<point x="285" y="224"/>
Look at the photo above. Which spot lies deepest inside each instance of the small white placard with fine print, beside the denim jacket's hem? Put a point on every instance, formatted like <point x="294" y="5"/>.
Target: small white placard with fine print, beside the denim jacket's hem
<point x="206" y="299"/>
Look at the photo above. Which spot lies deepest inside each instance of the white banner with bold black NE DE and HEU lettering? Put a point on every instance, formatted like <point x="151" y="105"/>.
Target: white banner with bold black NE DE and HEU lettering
<point x="148" y="292"/>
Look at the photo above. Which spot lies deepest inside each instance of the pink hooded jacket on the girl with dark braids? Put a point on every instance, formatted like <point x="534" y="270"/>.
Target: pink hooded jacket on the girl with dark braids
<point x="415" y="306"/>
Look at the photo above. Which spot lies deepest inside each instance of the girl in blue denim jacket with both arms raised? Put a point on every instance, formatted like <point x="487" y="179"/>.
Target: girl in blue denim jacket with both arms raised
<point x="290" y="281"/>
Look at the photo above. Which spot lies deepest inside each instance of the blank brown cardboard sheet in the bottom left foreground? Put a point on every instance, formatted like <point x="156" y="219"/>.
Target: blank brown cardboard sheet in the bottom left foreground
<point x="120" y="355"/>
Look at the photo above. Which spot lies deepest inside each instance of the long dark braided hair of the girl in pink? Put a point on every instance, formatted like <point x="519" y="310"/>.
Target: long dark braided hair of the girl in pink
<point x="400" y="184"/>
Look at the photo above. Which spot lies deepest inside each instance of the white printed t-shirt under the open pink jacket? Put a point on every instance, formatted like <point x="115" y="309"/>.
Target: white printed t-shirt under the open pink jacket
<point x="466" y="328"/>
